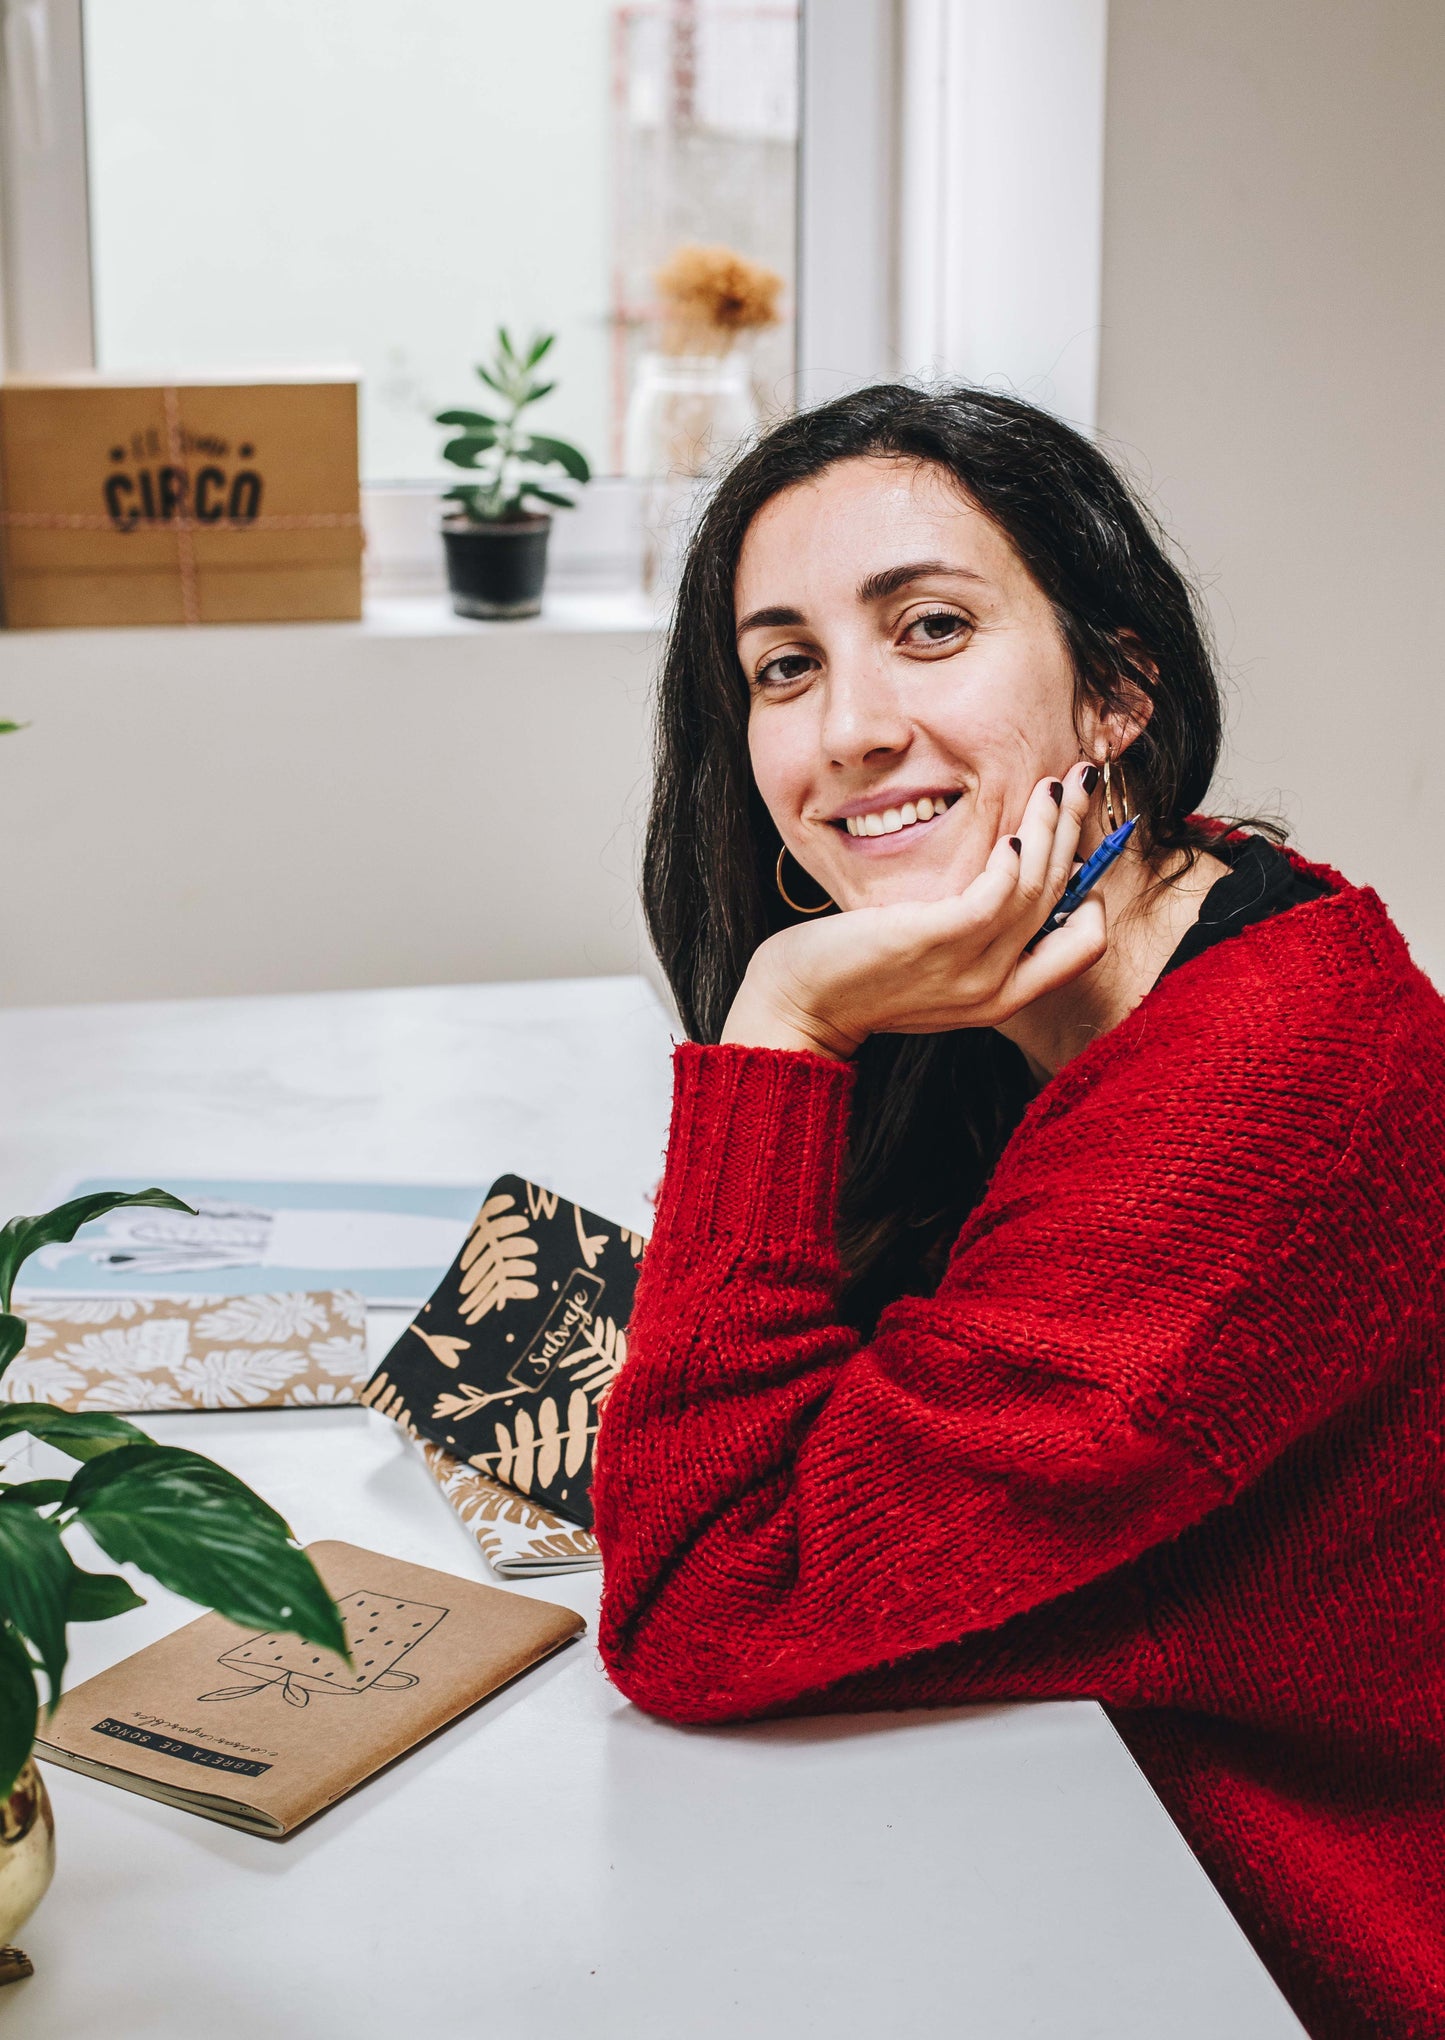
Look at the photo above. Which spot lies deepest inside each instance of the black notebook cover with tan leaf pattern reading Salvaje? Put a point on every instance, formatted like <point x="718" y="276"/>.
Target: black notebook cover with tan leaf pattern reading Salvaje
<point x="513" y="1358"/>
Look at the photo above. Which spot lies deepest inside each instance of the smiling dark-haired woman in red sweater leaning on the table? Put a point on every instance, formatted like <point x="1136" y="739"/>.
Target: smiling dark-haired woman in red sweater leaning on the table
<point x="1034" y="1321"/>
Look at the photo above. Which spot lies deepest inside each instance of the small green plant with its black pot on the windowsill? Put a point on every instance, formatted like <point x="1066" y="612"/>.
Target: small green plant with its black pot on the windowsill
<point x="497" y="538"/>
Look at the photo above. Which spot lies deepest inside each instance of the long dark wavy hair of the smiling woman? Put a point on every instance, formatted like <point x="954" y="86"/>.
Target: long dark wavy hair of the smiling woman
<point x="932" y="1113"/>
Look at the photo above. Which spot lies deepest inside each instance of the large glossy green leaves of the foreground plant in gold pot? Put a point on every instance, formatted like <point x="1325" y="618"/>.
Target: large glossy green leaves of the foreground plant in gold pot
<point x="183" y="1519"/>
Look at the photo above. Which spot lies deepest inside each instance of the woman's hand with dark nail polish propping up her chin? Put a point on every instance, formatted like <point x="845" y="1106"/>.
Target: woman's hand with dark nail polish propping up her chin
<point x="932" y="968"/>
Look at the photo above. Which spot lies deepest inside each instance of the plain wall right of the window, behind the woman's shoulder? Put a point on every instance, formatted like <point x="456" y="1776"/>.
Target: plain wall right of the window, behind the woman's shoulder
<point x="1273" y="368"/>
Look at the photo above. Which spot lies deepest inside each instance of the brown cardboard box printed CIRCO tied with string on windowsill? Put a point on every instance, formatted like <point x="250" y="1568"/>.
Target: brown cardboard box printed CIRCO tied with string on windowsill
<point x="148" y="503"/>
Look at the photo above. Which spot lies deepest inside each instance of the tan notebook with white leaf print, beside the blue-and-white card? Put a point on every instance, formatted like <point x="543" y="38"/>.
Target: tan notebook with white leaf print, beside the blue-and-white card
<point x="130" y="1354"/>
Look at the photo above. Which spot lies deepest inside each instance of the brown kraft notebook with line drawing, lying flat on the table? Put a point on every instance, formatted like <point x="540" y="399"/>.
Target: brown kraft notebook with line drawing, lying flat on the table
<point x="262" y="1731"/>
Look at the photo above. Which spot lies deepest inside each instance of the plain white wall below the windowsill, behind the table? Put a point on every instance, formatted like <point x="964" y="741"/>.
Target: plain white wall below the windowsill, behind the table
<point x="291" y="809"/>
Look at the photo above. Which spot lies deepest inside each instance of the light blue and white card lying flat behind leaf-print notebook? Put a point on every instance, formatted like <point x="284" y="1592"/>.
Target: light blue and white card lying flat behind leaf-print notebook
<point x="389" y="1241"/>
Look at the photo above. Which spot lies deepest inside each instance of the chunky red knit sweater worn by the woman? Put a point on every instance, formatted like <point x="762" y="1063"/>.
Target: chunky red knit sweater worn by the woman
<point x="1166" y="1437"/>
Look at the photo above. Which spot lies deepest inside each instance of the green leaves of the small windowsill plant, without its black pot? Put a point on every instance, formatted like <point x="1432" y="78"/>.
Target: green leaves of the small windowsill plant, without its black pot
<point x="519" y="470"/>
